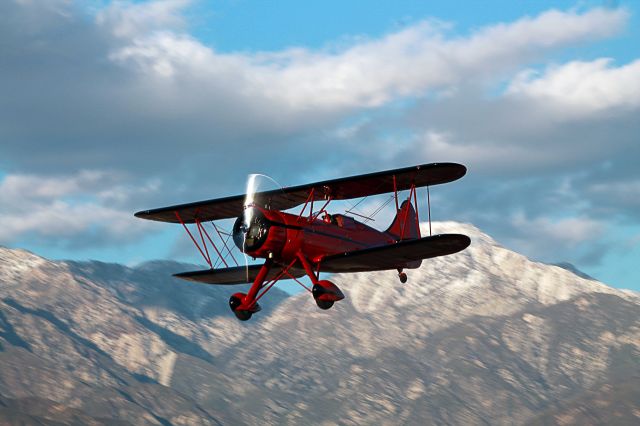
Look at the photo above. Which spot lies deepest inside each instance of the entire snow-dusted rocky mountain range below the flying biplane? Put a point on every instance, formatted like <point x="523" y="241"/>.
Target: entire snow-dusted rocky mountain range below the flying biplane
<point x="483" y="336"/>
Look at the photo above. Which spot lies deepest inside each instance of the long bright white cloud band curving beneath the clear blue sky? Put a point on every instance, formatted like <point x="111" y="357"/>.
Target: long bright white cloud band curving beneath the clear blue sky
<point x="371" y="72"/>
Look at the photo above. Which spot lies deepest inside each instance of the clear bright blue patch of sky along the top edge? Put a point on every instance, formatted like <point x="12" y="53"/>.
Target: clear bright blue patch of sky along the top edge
<point x="250" y="25"/>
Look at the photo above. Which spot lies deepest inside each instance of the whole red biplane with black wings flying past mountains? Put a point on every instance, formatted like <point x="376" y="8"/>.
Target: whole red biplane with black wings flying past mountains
<point x="295" y="245"/>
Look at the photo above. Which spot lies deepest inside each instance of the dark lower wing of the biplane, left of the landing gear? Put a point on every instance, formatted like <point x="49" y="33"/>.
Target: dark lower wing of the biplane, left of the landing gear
<point x="235" y="275"/>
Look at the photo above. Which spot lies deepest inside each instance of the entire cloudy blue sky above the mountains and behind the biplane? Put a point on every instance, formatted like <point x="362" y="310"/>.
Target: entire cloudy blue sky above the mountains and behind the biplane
<point x="110" y="107"/>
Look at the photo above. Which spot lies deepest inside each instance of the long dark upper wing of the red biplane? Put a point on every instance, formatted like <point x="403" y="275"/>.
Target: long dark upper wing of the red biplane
<point x="286" y="198"/>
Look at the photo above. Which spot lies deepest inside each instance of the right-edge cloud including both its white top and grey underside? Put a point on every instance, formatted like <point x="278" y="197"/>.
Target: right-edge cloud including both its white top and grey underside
<point x="571" y="118"/>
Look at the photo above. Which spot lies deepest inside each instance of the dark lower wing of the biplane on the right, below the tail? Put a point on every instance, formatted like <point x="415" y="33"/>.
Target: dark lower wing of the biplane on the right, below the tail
<point x="396" y="255"/>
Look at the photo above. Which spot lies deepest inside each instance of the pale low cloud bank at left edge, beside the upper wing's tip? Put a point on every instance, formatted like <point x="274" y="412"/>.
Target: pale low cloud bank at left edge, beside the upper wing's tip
<point x="74" y="210"/>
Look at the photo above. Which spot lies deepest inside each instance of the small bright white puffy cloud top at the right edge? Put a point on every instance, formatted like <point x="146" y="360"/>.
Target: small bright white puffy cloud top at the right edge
<point x="578" y="89"/>
